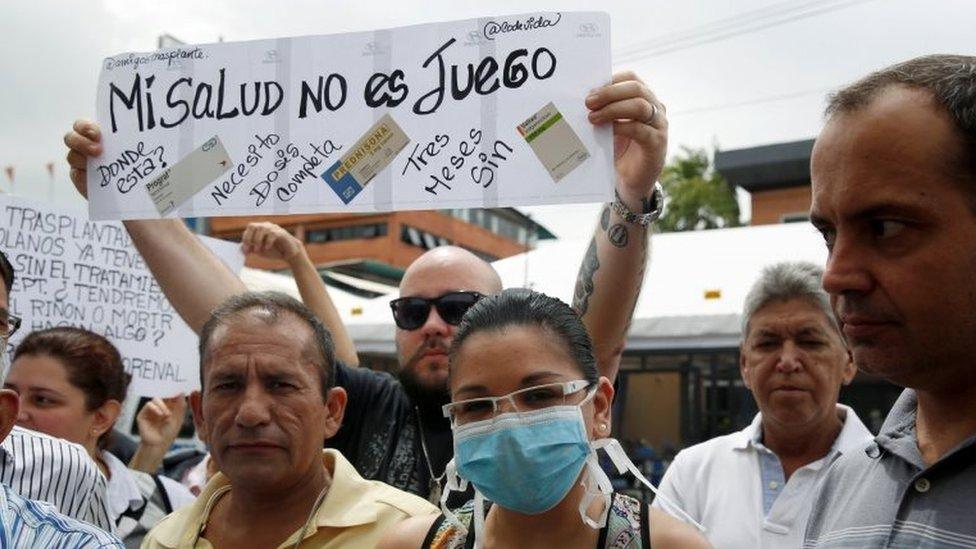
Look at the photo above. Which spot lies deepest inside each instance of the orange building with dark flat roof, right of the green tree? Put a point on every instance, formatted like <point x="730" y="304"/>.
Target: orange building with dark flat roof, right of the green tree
<point x="776" y="176"/>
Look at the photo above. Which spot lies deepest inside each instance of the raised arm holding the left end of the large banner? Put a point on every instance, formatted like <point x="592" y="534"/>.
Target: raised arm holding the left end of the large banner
<point x="192" y="277"/>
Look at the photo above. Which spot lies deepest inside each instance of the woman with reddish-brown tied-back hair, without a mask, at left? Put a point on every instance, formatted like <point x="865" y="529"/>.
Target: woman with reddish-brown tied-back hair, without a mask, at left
<point x="71" y="384"/>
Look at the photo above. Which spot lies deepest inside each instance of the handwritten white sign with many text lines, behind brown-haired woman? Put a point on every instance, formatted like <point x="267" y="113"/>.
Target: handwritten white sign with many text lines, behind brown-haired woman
<point x="69" y="271"/>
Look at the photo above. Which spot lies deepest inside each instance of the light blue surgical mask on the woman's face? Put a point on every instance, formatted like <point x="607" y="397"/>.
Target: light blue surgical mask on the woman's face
<point x="524" y="461"/>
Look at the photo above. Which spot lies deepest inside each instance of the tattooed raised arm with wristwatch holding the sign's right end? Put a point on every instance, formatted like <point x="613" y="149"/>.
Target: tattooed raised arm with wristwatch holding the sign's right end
<point x="612" y="272"/>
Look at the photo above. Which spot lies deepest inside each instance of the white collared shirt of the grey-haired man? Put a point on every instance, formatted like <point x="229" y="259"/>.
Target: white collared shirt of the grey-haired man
<point x="720" y="484"/>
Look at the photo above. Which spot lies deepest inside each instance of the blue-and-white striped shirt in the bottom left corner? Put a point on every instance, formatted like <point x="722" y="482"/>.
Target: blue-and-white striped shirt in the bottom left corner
<point x="28" y="523"/>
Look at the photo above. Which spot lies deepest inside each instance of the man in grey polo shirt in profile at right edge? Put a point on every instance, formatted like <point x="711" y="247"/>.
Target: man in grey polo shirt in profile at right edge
<point x="894" y="194"/>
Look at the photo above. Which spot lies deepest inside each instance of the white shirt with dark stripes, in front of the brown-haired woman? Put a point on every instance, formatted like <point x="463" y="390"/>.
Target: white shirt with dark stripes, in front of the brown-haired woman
<point x="45" y="468"/>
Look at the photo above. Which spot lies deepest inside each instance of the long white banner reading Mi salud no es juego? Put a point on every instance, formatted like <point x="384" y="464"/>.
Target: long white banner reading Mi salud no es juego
<point x="477" y="113"/>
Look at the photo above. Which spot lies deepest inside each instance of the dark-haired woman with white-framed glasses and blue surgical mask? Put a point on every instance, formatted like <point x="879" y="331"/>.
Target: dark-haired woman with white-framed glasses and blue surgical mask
<point x="529" y="411"/>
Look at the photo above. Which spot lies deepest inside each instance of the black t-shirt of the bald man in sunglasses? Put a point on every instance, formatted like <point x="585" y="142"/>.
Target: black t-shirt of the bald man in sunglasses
<point x="380" y="433"/>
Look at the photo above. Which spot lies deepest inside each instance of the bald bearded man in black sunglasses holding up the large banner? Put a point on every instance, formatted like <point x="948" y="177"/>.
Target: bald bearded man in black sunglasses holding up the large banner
<point x="393" y="429"/>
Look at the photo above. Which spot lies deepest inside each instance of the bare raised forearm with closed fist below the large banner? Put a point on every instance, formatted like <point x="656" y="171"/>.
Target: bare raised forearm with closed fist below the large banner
<point x="271" y="241"/>
